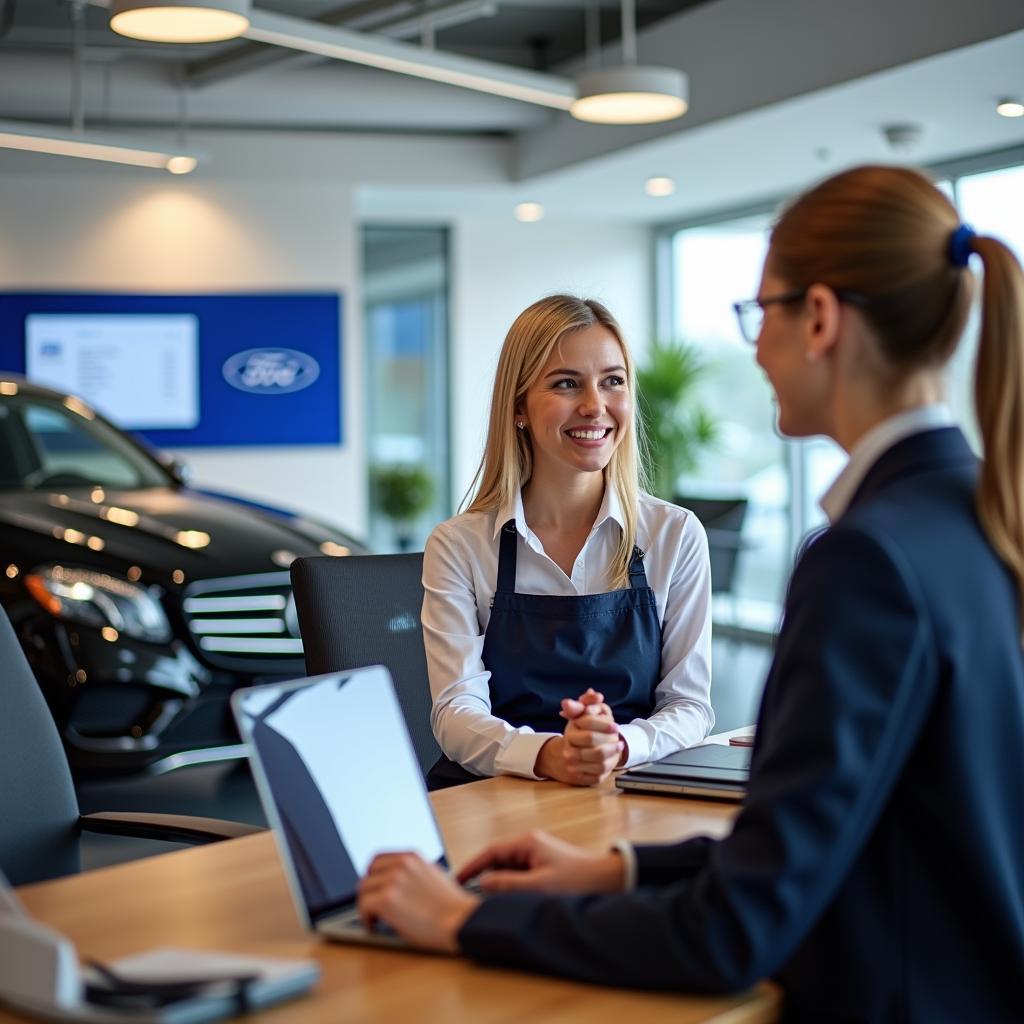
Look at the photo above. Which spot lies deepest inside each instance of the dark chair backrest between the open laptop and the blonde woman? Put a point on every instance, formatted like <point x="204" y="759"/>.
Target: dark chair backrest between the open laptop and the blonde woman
<point x="365" y="610"/>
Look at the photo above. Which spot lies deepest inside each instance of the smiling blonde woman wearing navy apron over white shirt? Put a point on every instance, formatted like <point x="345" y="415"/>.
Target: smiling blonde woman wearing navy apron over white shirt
<point x="566" y="614"/>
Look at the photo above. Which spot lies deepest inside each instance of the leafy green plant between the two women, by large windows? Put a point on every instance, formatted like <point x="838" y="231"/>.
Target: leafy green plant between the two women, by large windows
<point x="676" y="425"/>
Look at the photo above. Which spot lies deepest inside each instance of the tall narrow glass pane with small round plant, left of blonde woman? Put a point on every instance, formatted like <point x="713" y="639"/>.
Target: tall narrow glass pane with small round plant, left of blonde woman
<point x="406" y="330"/>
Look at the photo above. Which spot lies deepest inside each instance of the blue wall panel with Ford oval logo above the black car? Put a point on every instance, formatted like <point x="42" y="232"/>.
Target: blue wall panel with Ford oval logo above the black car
<point x="228" y="387"/>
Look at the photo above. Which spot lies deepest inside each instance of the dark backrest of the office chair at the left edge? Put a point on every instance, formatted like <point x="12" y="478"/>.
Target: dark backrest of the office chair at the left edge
<point x="38" y="807"/>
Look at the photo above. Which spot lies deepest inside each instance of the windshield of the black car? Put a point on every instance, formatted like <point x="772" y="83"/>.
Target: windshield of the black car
<point x="48" y="445"/>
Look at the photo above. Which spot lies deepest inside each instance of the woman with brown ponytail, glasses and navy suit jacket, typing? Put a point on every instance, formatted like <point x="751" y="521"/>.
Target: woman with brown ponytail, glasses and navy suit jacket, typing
<point x="877" y="868"/>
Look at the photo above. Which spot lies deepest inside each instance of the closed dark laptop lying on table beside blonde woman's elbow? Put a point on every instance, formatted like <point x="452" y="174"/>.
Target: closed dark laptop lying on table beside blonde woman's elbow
<point x="710" y="772"/>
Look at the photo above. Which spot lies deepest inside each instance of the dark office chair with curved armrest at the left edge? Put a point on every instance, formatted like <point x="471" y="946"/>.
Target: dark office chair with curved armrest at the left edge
<point x="40" y="823"/>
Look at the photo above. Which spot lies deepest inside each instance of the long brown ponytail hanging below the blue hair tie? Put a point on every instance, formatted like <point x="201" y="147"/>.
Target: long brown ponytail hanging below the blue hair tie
<point x="999" y="393"/>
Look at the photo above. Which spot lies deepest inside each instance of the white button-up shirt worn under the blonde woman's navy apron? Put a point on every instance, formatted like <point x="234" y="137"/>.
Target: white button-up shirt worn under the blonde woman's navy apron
<point x="460" y="572"/>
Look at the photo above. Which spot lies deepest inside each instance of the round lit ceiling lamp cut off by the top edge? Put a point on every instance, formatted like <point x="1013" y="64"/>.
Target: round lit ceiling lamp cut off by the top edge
<point x="181" y="21"/>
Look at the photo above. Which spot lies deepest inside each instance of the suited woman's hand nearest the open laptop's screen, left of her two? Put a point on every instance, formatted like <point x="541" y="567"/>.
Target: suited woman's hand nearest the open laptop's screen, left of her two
<point x="417" y="900"/>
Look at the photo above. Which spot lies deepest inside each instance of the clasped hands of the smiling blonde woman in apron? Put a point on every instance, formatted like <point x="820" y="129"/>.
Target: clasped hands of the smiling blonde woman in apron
<point x="590" y="748"/>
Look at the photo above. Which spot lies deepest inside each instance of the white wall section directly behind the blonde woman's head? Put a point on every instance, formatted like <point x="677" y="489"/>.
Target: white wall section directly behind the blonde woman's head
<point x="501" y="267"/>
